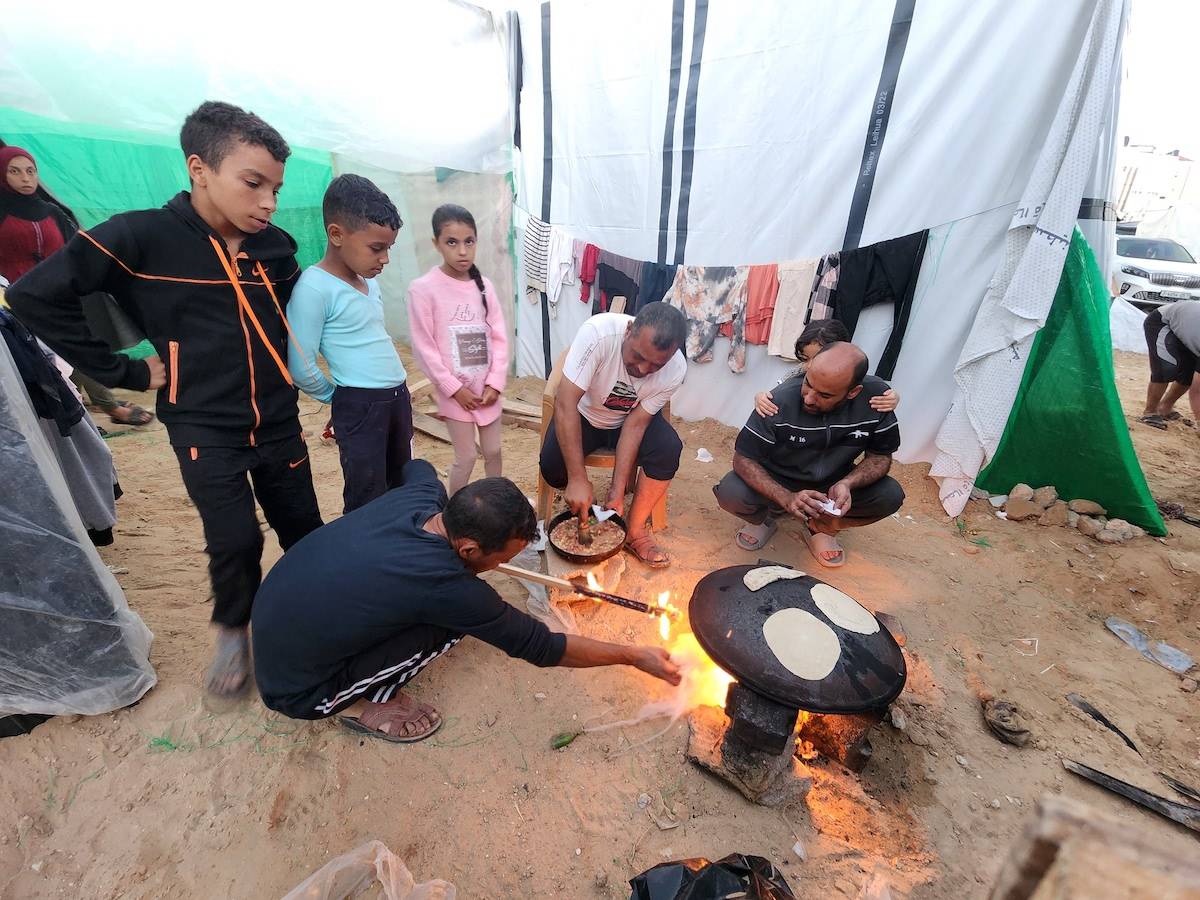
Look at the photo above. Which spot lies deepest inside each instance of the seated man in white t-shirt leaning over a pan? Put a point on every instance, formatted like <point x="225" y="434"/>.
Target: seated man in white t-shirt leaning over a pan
<point x="620" y="374"/>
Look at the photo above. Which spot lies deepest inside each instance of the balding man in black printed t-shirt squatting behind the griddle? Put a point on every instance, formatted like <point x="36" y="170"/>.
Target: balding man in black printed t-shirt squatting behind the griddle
<point x="802" y="459"/>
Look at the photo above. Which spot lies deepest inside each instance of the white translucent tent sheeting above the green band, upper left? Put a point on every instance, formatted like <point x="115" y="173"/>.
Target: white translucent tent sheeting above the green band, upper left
<point x="367" y="85"/>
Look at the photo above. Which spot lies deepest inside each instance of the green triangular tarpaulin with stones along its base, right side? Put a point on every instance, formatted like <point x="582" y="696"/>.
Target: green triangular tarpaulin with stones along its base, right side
<point x="1067" y="428"/>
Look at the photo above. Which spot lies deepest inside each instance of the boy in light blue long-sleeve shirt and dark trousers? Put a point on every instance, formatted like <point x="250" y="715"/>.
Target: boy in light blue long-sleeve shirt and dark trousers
<point x="337" y="310"/>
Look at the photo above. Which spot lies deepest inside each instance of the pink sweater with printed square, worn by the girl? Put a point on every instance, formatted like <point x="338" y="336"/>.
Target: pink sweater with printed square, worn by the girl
<point x="457" y="345"/>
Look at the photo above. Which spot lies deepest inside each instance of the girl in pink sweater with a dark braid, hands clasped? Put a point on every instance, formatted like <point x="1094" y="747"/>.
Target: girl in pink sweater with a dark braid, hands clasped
<point x="459" y="337"/>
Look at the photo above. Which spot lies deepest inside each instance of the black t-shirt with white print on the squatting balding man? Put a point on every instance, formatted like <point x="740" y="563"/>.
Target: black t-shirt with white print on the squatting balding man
<point x="801" y="449"/>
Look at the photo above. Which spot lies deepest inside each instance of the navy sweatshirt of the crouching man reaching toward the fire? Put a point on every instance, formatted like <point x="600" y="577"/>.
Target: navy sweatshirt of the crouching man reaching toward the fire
<point x="364" y="578"/>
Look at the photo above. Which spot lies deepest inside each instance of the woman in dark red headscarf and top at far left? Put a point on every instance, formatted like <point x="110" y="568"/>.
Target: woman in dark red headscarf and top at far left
<point x="32" y="227"/>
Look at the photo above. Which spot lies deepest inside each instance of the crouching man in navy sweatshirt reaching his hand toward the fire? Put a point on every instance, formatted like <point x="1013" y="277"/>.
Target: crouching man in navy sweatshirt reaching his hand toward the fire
<point x="352" y="614"/>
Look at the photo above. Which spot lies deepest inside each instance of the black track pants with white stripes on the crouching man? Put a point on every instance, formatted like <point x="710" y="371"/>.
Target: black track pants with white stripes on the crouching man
<point x="376" y="675"/>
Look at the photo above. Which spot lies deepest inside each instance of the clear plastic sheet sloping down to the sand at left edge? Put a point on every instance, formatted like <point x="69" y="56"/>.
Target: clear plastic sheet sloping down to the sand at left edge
<point x="69" y="641"/>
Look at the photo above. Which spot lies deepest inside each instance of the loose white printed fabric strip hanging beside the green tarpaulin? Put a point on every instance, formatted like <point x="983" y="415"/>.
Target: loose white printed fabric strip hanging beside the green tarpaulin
<point x="993" y="362"/>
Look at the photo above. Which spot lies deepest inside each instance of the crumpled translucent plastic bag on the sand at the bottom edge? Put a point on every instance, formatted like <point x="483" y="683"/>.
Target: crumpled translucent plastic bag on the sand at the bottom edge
<point x="352" y="874"/>
